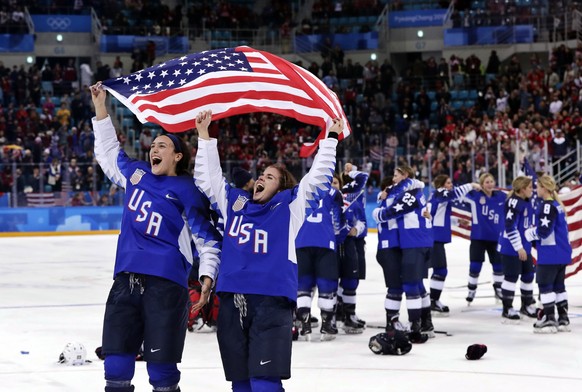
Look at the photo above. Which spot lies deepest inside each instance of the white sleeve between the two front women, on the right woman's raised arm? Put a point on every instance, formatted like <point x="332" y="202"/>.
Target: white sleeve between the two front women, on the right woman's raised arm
<point x="208" y="175"/>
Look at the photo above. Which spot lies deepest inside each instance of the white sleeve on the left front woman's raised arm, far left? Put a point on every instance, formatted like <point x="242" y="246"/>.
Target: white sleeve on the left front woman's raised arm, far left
<point x="107" y="150"/>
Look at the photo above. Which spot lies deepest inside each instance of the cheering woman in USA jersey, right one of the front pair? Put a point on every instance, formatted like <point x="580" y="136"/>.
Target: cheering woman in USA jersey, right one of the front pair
<point x="258" y="276"/>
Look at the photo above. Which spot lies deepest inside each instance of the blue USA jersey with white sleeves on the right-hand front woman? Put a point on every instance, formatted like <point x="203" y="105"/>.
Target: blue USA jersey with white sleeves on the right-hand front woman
<point x="258" y="251"/>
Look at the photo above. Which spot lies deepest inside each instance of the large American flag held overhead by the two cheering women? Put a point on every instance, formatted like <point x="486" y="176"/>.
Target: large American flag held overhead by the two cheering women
<point x="228" y="81"/>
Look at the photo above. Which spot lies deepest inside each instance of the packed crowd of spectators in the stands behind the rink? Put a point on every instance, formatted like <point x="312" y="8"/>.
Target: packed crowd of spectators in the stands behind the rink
<point x="411" y="114"/>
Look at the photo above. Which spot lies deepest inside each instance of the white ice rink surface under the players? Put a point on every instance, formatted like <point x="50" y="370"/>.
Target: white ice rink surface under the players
<point x="53" y="290"/>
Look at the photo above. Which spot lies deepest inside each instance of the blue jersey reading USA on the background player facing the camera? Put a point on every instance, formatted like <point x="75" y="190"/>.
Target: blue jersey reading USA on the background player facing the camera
<point x="486" y="214"/>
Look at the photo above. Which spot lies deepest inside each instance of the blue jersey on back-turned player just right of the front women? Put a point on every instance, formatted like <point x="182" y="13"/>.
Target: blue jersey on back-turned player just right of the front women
<point x="321" y="227"/>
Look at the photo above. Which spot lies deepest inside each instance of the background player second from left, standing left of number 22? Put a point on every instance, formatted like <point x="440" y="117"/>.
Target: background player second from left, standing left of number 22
<point x="353" y="253"/>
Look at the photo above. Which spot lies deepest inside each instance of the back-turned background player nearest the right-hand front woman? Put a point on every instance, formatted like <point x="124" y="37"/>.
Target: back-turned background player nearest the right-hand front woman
<point x="317" y="263"/>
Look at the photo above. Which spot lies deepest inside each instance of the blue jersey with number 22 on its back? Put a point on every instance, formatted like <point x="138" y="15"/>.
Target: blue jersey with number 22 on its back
<point x="414" y="230"/>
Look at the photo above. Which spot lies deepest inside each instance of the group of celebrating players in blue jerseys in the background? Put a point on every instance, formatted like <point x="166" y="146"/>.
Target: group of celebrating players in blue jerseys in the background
<point x="411" y="237"/>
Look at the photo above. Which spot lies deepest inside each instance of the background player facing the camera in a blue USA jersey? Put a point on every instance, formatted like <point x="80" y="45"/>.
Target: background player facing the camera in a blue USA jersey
<point x="486" y="224"/>
